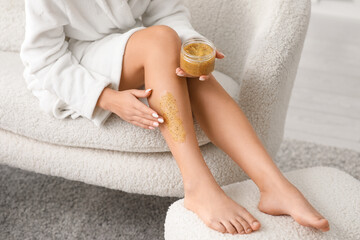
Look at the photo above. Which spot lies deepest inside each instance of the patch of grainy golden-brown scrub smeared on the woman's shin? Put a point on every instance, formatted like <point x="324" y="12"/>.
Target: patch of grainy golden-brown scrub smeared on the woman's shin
<point x="171" y="116"/>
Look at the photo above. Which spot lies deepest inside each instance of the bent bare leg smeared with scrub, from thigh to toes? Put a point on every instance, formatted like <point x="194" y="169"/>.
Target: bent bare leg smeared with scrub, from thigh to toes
<point x="151" y="56"/>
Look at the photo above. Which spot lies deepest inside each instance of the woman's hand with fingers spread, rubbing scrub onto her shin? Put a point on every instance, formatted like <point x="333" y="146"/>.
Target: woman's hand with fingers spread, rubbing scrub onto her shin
<point x="126" y="105"/>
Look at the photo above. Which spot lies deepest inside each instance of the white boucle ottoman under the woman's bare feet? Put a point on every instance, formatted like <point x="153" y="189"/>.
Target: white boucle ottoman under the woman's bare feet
<point x="335" y="194"/>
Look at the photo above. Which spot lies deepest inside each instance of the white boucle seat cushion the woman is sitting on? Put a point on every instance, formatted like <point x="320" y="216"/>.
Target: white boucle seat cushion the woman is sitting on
<point x="20" y="114"/>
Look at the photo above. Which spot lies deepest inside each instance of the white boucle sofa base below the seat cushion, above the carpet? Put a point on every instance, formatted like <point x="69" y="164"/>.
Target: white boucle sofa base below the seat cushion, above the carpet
<point x="145" y="173"/>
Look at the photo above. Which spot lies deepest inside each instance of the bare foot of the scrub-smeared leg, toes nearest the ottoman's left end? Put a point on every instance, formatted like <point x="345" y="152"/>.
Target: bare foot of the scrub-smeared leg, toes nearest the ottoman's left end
<point x="217" y="210"/>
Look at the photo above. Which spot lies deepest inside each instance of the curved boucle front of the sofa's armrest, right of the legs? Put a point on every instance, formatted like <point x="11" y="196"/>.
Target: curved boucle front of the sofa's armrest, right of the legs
<point x="270" y="69"/>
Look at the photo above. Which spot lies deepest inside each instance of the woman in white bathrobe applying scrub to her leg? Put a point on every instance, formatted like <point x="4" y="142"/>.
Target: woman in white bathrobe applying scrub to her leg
<point x="89" y="58"/>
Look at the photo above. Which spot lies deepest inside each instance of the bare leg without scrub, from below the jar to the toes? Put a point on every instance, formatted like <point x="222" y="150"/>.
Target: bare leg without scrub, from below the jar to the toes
<point x="228" y="128"/>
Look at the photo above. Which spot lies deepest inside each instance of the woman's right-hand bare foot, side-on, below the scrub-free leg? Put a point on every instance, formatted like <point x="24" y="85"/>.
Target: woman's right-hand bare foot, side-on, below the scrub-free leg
<point x="288" y="200"/>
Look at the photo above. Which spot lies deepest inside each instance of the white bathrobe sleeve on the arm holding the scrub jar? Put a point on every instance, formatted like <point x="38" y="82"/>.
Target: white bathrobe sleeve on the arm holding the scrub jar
<point x="172" y="13"/>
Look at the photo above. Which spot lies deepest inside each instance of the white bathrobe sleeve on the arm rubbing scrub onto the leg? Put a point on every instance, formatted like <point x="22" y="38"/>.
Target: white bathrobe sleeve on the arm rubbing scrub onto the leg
<point x="51" y="71"/>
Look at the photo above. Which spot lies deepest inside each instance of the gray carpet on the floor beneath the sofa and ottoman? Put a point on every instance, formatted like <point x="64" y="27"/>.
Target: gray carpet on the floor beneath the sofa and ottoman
<point x="36" y="206"/>
